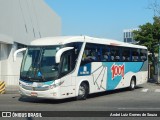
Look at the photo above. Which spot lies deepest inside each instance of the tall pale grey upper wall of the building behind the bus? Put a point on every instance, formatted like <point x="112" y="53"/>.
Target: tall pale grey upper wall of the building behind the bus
<point x="26" y="20"/>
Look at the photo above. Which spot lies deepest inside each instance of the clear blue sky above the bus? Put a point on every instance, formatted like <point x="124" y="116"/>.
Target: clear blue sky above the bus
<point x="101" y="18"/>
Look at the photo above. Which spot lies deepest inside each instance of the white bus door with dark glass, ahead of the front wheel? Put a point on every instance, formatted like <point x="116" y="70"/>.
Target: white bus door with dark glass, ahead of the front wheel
<point x="66" y="68"/>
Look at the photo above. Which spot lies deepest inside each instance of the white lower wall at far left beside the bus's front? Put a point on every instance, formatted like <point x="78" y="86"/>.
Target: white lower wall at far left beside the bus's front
<point x="9" y="70"/>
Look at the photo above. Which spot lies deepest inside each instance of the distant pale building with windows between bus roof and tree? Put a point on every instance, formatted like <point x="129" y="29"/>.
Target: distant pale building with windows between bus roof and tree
<point x="128" y="35"/>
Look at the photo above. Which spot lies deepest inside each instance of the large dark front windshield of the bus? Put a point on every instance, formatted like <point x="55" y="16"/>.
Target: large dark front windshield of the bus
<point x="39" y="64"/>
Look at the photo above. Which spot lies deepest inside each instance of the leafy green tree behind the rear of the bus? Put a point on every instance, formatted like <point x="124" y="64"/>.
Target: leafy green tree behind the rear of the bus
<point x="149" y="36"/>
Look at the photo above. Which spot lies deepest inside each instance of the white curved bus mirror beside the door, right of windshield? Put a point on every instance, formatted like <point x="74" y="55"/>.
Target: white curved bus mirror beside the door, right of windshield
<point x="59" y="53"/>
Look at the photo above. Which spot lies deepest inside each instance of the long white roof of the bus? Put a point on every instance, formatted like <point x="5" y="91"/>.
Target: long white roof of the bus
<point x="48" y="41"/>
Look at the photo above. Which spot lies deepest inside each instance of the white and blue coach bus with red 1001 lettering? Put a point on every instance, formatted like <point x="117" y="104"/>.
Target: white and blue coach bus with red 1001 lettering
<point x="76" y="66"/>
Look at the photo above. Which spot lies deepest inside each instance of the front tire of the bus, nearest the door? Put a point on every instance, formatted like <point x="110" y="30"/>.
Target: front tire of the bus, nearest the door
<point x="83" y="91"/>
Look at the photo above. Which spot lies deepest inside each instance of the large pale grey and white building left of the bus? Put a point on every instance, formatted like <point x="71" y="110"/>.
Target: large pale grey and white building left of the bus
<point x="21" y="22"/>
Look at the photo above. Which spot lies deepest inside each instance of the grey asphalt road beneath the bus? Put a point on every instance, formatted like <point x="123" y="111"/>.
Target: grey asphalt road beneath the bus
<point x="145" y="98"/>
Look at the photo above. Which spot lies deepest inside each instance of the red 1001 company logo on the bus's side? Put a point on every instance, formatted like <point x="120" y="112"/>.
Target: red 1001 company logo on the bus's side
<point x="117" y="70"/>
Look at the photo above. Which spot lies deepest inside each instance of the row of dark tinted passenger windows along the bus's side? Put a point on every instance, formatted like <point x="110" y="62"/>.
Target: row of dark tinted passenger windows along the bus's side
<point x="107" y="53"/>
